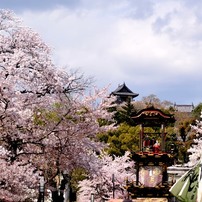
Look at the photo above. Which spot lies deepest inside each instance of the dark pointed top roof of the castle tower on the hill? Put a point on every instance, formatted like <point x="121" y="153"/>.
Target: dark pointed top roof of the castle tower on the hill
<point x="124" y="91"/>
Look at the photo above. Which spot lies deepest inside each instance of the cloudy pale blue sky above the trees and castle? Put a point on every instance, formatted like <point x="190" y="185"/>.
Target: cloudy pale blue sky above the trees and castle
<point x="154" y="46"/>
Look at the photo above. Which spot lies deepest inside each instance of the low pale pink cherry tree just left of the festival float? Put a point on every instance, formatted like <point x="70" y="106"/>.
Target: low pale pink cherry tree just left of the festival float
<point x="109" y="182"/>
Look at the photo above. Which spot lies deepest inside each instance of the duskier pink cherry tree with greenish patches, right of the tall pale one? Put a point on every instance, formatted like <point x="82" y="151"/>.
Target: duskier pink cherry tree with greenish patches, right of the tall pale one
<point x="71" y="143"/>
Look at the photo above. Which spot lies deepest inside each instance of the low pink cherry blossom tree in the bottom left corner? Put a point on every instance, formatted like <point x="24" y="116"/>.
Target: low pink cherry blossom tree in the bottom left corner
<point x="15" y="178"/>
